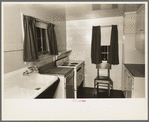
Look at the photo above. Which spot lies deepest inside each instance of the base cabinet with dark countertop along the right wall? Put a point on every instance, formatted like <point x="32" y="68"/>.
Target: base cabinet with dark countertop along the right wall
<point x="133" y="85"/>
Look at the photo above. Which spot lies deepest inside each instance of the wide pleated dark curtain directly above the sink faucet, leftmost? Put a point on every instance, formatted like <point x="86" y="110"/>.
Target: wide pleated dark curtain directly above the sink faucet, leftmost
<point x="30" y="39"/>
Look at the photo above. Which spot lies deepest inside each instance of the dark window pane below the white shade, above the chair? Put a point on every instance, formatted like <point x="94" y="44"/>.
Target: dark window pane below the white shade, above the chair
<point x="105" y="52"/>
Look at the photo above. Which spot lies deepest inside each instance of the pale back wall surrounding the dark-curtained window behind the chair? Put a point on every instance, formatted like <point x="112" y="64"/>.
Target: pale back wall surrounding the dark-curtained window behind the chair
<point x="79" y="34"/>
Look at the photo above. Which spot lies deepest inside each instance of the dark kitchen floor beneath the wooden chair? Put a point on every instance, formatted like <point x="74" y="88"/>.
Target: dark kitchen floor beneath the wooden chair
<point x="89" y="93"/>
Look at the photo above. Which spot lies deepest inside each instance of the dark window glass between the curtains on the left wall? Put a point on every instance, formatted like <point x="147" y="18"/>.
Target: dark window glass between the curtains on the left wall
<point x="42" y="41"/>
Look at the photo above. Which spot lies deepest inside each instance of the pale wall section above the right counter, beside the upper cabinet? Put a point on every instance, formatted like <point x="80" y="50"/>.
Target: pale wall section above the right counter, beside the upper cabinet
<point x="131" y="54"/>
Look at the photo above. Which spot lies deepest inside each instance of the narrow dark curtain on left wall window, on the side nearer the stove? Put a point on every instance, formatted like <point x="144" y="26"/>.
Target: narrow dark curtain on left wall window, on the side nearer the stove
<point x="52" y="39"/>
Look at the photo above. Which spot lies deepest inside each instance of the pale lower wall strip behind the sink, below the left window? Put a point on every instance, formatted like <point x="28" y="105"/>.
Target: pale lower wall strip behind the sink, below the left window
<point x="14" y="61"/>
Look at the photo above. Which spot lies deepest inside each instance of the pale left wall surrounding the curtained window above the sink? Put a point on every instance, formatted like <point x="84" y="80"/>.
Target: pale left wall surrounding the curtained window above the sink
<point x="12" y="36"/>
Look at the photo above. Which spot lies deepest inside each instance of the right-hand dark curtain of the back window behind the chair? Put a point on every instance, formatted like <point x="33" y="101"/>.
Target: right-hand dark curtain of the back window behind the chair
<point x="113" y="54"/>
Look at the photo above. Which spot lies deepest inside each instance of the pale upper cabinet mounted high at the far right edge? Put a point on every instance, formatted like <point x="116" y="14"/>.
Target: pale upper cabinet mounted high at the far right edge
<point x="140" y="29"/>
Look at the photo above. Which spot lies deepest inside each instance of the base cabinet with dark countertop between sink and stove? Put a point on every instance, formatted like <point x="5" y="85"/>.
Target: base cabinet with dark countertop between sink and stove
<point x="66" y="81"/>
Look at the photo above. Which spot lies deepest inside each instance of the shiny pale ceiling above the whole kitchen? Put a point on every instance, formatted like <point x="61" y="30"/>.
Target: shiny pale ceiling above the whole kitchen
<point x="81" y="10"/>
